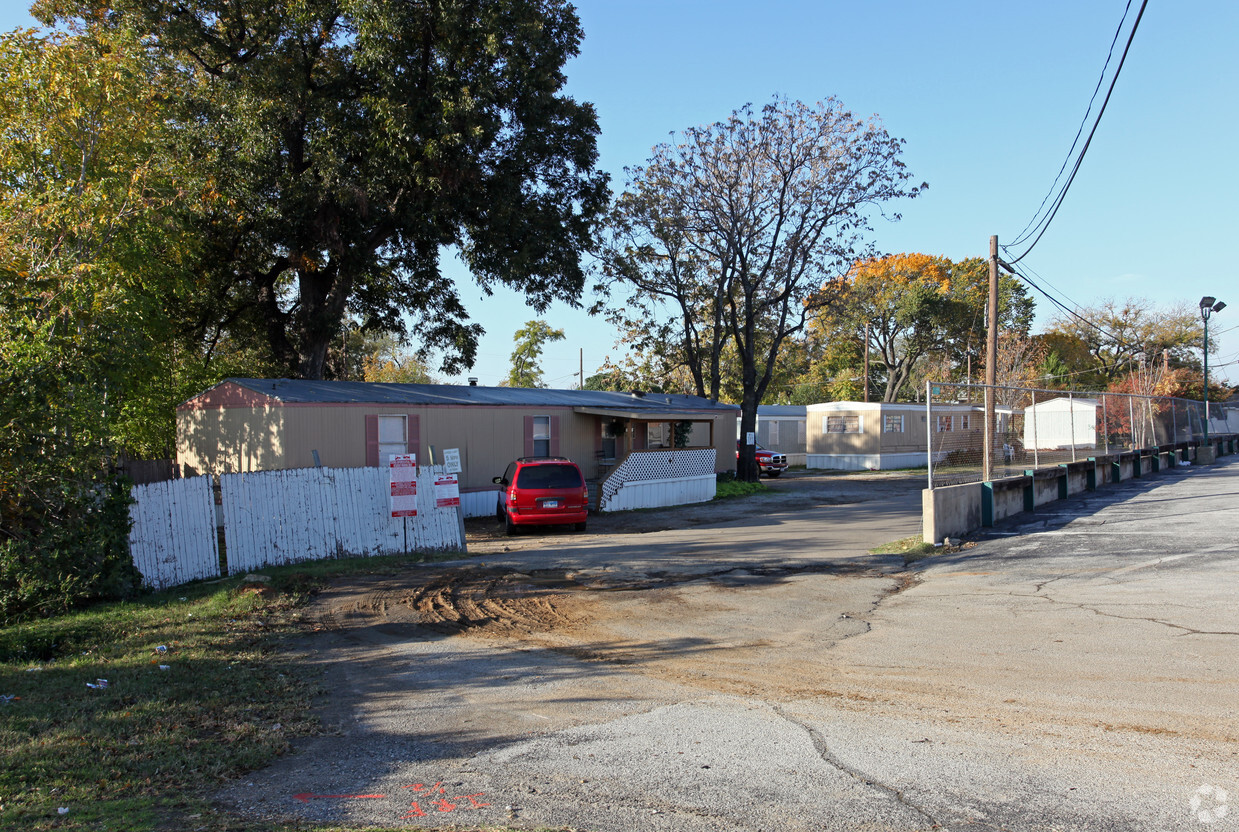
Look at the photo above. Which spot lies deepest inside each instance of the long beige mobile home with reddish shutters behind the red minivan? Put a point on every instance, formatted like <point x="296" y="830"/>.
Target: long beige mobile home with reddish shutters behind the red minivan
<point x="243" y="425"/>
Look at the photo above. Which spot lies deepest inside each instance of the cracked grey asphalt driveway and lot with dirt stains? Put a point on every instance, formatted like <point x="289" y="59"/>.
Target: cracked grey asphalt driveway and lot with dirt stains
<point x="1077" y="672"/>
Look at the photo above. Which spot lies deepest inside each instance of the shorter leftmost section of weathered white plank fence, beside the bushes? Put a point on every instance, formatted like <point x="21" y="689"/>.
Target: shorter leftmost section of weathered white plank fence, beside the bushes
<point x="173" y="535"/>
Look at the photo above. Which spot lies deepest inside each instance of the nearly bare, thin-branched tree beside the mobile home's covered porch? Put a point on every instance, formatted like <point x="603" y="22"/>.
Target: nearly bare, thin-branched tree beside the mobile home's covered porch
<point x="728" y="235"/>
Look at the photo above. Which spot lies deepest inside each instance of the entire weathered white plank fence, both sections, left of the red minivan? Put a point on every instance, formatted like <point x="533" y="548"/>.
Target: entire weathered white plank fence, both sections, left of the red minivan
<point x="281" y="517"/>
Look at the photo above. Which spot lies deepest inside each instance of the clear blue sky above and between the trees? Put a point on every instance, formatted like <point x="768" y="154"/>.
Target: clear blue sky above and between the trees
<point x="988" y="97"/>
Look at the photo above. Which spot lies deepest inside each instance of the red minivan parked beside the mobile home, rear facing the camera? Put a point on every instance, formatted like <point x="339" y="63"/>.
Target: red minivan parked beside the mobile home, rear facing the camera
<point x="542" y="491"/>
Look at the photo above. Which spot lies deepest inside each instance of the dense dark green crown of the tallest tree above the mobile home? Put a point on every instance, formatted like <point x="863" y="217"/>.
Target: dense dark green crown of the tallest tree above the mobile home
<point x="354" y="142"/>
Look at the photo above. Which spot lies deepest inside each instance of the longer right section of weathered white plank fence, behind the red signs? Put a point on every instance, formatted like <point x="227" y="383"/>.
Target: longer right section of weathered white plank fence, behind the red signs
<point x="288" y="517"/>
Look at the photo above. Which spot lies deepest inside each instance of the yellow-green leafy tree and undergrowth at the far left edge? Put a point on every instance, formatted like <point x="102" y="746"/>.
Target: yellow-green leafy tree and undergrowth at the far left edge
<point x="90" y="262"/>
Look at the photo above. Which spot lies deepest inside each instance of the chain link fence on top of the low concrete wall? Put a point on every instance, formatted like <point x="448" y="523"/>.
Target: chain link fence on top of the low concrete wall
<point x="1035" y="428"/>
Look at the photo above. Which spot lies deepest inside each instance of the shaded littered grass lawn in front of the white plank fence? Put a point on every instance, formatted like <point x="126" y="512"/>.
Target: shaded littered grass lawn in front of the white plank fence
<point x="200" y="689"/>
